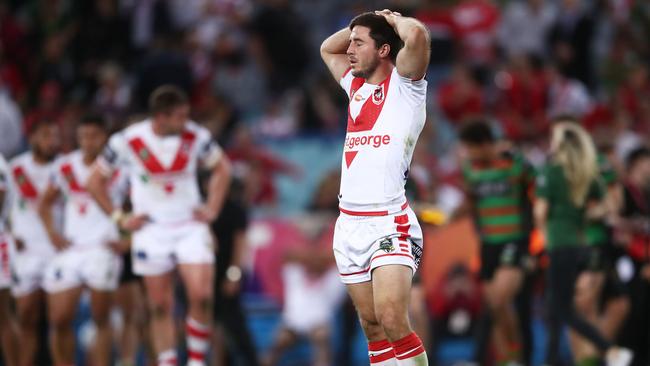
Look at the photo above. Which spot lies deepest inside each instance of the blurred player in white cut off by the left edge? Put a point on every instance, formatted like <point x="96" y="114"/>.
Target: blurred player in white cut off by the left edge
<point x="8" y="325"/>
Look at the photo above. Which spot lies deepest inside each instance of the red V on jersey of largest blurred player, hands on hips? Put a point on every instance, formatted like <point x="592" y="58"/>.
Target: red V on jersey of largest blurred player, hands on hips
<point x="152" y="163"/>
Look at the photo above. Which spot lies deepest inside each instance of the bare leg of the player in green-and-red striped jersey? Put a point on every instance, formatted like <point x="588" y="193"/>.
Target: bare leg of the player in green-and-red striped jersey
<point x="500" y="295"/>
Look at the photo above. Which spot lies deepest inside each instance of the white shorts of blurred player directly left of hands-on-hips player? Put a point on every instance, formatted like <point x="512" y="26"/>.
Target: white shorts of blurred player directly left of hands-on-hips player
<point x="98" y="268"/>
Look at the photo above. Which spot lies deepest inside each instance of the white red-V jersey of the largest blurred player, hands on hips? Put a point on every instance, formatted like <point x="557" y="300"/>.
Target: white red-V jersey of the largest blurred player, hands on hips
<point x="162" y="169"/>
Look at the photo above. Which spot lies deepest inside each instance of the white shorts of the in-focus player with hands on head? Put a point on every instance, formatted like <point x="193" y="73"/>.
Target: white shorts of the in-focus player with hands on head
<point x="363" y="243"/>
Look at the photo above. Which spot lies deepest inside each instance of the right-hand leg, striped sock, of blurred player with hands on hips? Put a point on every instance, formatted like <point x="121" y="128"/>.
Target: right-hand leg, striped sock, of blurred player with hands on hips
<point x="198" y="280"/>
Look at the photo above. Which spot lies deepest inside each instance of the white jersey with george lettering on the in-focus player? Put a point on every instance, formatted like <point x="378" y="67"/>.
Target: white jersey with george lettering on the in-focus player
<point x="384" y="122"/>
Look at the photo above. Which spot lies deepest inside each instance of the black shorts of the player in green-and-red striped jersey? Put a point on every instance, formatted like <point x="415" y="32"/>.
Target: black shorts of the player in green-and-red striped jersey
<point x="494" y="256"/>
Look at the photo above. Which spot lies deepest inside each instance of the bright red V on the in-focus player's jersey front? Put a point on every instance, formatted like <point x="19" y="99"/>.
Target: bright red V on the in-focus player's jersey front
<point x="369" y="112"/>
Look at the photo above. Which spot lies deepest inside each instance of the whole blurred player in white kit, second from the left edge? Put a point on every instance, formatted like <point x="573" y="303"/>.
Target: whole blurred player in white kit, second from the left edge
<point x="31" y="173"/>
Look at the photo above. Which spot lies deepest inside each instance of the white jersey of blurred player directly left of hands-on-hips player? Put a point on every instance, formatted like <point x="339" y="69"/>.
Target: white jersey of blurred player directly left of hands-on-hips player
<point x="84" y="223"/>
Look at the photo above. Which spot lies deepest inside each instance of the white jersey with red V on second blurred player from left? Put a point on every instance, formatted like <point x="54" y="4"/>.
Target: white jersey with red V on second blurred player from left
<point x="30" y="180"/>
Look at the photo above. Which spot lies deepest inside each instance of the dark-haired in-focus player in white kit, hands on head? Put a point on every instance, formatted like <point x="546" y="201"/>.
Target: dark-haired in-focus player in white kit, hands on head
<point x="380" y="61"/>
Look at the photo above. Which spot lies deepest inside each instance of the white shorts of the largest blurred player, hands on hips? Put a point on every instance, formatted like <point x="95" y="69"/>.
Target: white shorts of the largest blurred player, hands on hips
<point x="158" y="248"/>
